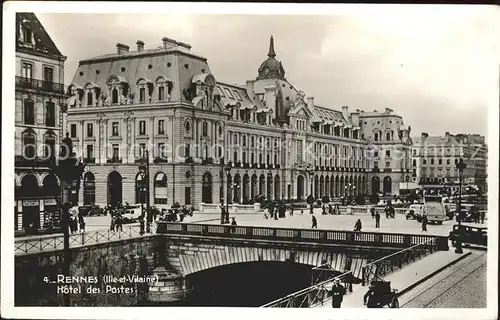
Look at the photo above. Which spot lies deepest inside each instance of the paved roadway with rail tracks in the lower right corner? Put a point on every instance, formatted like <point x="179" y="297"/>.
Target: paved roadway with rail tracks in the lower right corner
<point x="463" y="285"/>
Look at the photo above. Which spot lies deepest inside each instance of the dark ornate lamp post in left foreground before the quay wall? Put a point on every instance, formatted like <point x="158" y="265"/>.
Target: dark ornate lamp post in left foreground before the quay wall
<point x="69" y="169"/>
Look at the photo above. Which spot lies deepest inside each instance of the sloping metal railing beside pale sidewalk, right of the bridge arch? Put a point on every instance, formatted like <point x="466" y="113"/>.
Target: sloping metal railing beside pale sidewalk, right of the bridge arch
<point x="377" y="269"/>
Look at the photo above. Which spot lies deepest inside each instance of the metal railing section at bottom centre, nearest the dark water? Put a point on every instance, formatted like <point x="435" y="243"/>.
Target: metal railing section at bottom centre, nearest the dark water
<point x="313" y="295"/>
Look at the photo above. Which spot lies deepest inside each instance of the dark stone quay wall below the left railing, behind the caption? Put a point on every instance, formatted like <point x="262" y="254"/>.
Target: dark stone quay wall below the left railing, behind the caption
<point x="34" y="272"/>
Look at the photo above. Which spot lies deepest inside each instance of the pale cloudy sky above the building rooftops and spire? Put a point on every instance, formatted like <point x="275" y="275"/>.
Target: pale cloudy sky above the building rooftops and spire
<point x="437" y="68"/>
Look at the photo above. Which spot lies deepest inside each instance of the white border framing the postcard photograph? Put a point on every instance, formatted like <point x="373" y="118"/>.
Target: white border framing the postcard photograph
<point x="7" y="262"/>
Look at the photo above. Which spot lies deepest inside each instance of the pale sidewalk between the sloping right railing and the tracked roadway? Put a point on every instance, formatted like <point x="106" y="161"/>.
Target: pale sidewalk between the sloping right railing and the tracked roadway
<point x="402" y="278"/>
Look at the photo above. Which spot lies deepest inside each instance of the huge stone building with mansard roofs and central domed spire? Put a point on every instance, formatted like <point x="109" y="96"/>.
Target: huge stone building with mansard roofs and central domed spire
<point x="278" y="142"/>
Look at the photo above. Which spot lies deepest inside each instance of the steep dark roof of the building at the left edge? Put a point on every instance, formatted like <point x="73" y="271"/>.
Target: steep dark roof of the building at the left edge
<point x="42" y="43"/>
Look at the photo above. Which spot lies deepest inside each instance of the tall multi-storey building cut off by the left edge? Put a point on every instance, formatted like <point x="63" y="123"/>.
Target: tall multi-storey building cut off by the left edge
<point x="40" y="100"/>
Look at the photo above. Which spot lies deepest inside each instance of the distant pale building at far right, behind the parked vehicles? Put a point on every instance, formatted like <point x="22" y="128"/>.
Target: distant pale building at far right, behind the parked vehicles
<point x="434" y="160"/>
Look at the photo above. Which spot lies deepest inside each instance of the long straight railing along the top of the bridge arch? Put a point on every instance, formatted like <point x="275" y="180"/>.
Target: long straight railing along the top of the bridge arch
<point x="316" y="236"/>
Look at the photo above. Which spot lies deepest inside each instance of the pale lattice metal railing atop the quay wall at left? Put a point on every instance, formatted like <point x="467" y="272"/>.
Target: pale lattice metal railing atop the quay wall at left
<point x="56" y="242"/>
